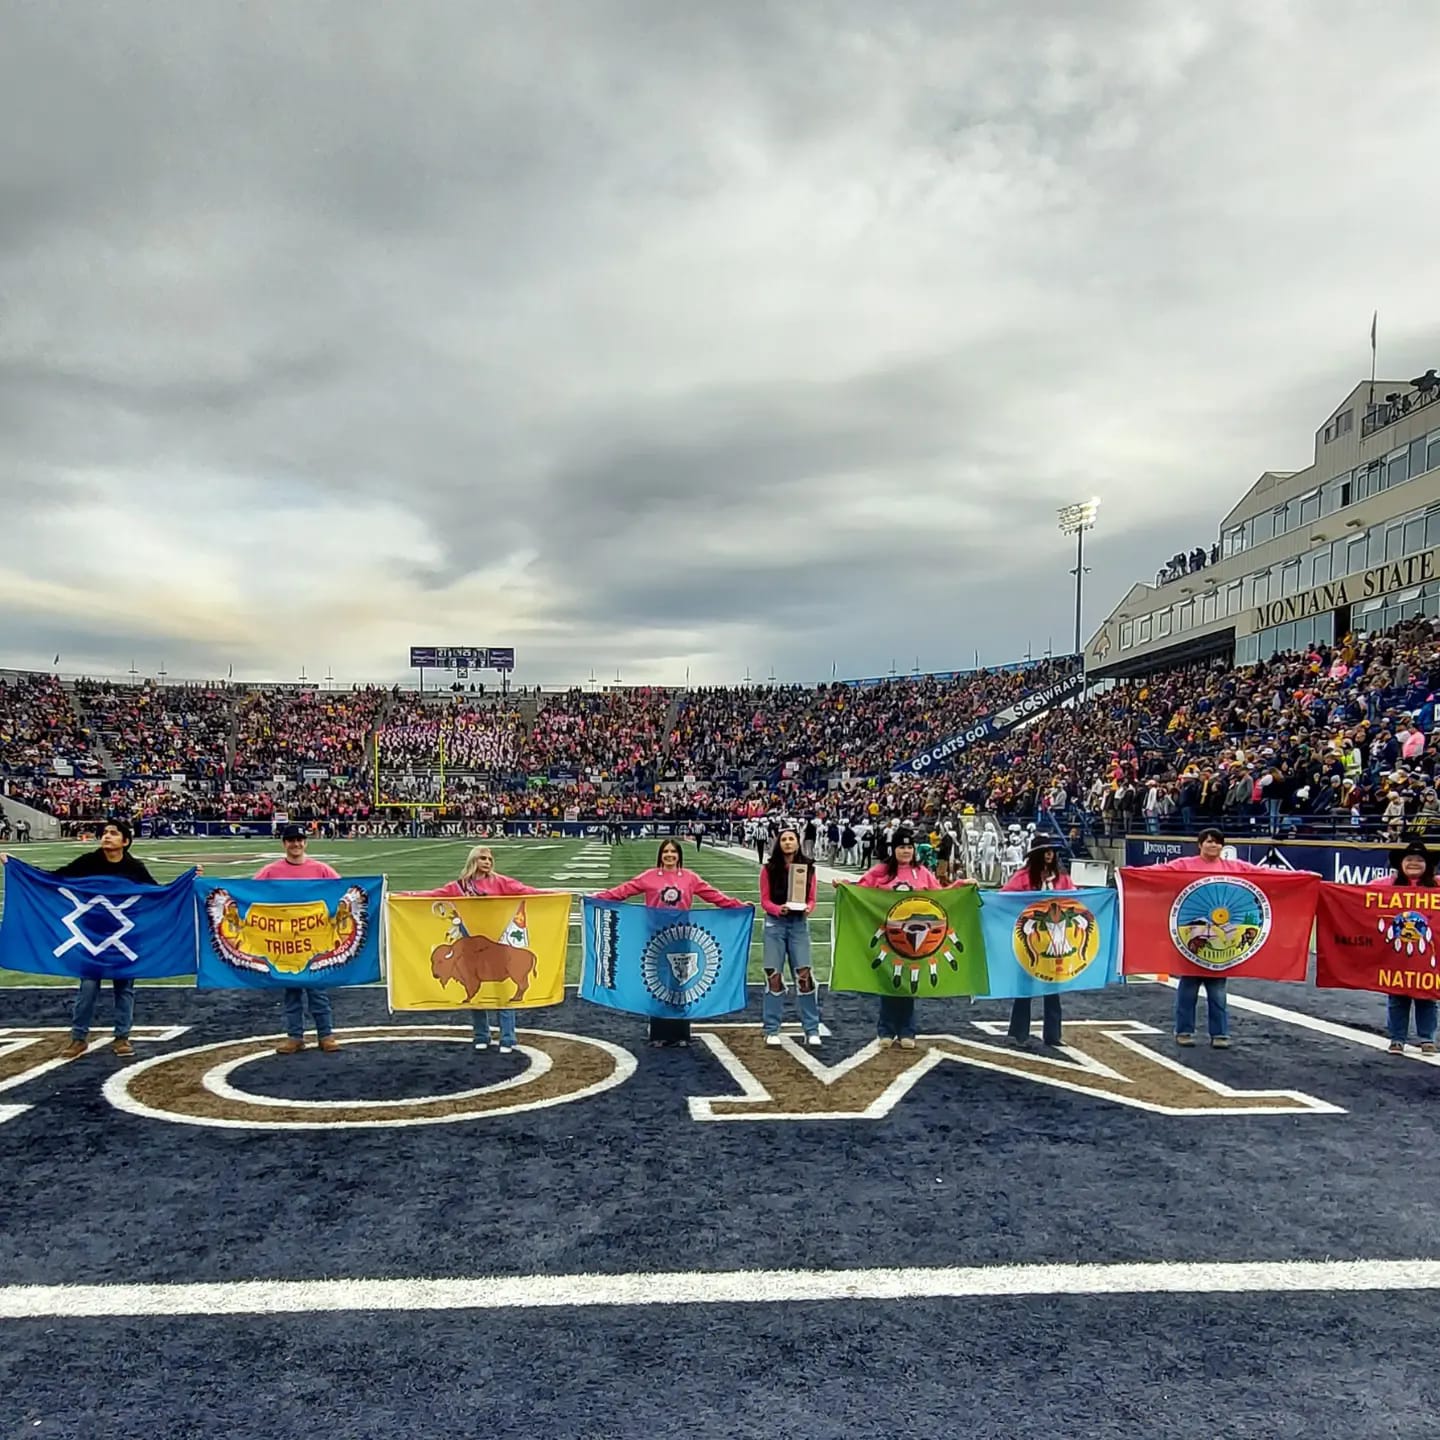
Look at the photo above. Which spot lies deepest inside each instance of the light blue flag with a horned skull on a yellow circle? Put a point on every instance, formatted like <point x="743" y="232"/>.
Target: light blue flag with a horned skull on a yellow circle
<point x="1049" y="942"/>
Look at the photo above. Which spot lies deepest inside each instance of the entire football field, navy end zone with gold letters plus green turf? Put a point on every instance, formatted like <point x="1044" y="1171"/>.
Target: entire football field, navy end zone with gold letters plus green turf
<point x="594" y="1239"/>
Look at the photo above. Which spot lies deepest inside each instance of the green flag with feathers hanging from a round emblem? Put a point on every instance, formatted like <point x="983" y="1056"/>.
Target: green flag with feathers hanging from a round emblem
<point x="909" y="942"/>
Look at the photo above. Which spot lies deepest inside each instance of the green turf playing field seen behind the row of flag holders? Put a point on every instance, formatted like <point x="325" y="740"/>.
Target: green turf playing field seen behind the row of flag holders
<point x="421" y="865"/>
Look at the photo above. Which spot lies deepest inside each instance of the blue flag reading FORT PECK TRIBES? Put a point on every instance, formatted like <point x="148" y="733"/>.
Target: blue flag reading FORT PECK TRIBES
<point x="258" y="934"/>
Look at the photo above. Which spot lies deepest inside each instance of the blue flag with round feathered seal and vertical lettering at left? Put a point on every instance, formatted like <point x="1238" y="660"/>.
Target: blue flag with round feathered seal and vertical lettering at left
<point x="669" y="964"/>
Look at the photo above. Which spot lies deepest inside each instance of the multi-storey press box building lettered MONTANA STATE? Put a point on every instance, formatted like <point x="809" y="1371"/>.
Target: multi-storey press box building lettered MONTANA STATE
<point x="1351" y="544"/>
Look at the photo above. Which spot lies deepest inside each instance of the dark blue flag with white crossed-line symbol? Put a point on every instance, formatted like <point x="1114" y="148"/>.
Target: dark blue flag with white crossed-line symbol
<point x="96" y="928"/>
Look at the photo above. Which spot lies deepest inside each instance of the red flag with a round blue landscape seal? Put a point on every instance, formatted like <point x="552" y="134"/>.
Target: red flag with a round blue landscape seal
<point x="1196" y="922"/>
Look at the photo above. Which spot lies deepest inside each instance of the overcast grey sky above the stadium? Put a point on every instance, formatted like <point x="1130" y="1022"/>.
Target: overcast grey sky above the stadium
<point x="644" y="336"/>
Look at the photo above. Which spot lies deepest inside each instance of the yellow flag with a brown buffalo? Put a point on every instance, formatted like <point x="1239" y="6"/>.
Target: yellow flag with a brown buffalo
<point x="477" y="953"/>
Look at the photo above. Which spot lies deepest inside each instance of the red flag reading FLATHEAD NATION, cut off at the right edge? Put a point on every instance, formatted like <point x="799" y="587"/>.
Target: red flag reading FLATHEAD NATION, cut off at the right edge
<point x="1379" y="938"/>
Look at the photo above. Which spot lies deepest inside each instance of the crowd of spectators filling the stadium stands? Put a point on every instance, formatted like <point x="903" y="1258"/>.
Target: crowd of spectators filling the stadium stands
<point x="1337" y="737"/>
